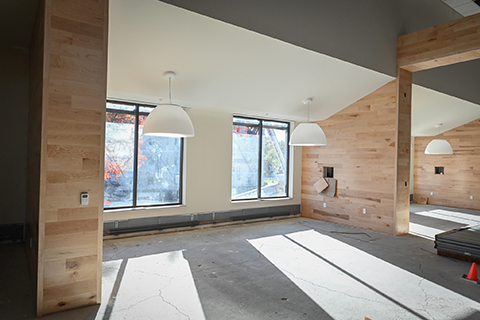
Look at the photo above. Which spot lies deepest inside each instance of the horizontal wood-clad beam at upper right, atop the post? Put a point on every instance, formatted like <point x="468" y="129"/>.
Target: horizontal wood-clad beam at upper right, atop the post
<point x="452" y="42"/>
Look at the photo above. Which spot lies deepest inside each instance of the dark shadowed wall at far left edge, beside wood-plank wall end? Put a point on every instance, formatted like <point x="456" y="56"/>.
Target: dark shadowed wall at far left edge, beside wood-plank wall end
<point x="16" y="27"/>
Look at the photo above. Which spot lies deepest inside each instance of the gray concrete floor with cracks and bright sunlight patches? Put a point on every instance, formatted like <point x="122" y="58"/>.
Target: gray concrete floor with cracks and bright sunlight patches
<point x="286" y="269"/>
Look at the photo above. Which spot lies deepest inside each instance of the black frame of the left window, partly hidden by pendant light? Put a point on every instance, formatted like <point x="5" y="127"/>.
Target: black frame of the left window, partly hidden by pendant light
<point x="137" y="115"/>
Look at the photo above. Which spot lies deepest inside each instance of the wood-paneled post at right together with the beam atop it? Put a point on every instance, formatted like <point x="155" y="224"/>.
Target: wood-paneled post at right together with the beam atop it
<point x="449" y="43"/>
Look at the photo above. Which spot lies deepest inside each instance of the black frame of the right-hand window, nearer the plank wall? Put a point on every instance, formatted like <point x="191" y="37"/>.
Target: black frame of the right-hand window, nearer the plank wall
<point x="260" y="159"/>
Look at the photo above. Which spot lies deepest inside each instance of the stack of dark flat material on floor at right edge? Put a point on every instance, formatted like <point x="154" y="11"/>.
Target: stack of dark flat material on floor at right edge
<point x="462" y="244"/>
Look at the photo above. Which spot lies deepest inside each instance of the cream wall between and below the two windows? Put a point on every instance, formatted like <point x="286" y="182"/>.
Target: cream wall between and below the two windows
<point x="208" y="172"/>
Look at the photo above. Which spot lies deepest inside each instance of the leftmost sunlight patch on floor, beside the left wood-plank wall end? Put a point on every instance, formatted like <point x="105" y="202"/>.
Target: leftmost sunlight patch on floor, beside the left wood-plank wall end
<point x="156" y="286"/>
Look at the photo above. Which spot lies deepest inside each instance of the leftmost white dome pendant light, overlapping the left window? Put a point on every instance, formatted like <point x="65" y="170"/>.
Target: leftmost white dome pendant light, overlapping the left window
<point x="169" y="120"/>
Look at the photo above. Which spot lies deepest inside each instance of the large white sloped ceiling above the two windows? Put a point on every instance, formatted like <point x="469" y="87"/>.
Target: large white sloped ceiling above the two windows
<point x="221" y="67"/>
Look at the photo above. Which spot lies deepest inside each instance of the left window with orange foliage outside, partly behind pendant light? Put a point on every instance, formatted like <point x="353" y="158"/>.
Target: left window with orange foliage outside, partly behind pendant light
<point x="139" y="170"/>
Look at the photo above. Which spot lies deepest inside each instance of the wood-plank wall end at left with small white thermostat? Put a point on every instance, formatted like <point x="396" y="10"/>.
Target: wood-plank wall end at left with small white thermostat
<point x="72" y="153"/>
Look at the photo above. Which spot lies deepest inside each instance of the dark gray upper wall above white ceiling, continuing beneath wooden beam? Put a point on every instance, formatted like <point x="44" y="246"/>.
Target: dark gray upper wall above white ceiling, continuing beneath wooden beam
<point x="361" y="32"/>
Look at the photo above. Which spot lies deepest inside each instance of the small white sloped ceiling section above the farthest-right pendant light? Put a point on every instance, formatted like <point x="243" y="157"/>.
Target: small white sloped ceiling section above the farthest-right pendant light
<point x="431" y="107"/>
